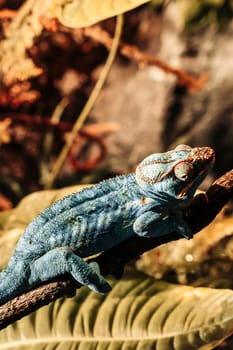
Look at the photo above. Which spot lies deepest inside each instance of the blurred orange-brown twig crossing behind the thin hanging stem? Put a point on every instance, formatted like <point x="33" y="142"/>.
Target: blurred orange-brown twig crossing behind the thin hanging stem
<point x="132" y="52"/>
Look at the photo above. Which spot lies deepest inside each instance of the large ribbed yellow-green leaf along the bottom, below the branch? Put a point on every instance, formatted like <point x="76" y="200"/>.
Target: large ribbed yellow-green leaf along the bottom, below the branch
<point x="139" y="313"/>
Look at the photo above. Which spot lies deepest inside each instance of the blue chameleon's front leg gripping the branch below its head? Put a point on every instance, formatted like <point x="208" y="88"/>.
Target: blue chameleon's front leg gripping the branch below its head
<point x="152" y="224"/>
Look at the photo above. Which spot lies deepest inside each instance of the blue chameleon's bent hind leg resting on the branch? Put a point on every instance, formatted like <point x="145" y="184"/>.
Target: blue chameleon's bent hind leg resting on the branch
<point x="59" y="261"/>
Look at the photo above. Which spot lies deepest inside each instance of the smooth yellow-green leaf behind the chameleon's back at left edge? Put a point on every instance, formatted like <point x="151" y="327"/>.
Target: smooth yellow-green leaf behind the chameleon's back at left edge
<point x="13" y="222"/>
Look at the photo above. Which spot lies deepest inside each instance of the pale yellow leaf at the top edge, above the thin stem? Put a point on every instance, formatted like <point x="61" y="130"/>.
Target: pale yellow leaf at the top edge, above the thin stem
<point x="82" y="13"/>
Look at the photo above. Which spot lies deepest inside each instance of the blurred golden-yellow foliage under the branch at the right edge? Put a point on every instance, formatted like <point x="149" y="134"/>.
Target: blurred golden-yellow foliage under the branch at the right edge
<point x="211" y="246"/>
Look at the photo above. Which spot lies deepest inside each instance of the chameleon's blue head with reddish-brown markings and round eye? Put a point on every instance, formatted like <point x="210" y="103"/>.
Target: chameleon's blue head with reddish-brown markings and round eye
<point x="176" y="173"/>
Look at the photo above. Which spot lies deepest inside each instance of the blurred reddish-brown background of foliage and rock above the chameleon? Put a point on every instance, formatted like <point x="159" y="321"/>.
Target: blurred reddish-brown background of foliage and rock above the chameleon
<point x="140" y="110"/>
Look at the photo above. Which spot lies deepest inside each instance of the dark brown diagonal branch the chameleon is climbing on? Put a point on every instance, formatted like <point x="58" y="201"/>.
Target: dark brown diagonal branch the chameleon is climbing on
<point x="201" y="211"/>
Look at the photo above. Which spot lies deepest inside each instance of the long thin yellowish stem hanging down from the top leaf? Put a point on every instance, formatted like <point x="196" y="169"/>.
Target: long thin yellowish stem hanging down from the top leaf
<point x="88" y="106"/>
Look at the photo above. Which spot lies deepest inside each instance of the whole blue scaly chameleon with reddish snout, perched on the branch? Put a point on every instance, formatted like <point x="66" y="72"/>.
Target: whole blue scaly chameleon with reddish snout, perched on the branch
<point x="147" y="203"/>
